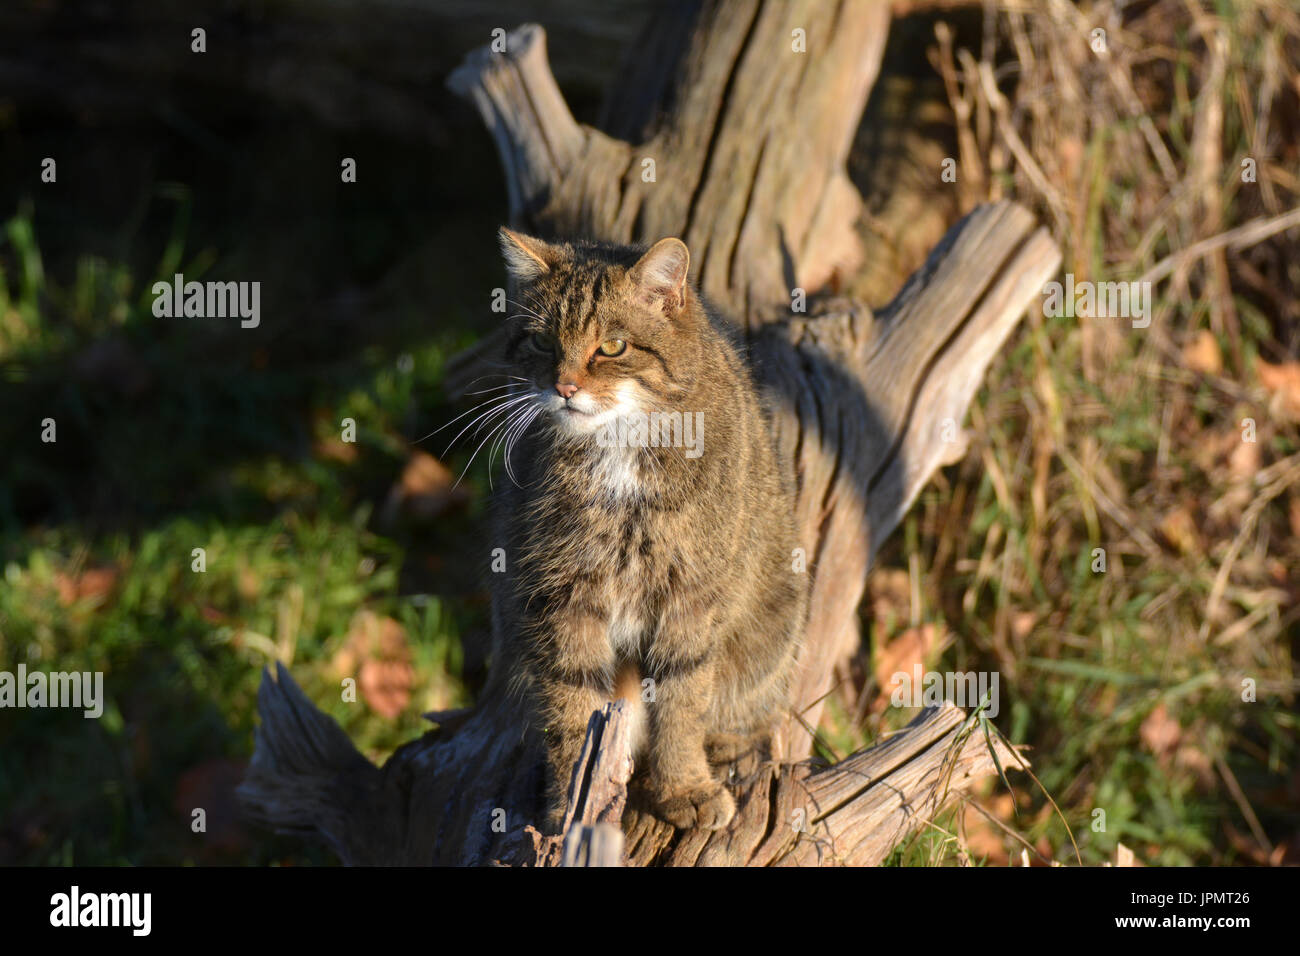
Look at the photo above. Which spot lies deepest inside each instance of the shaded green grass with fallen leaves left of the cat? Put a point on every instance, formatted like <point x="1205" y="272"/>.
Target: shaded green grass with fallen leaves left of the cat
<point x="233" y="461"/>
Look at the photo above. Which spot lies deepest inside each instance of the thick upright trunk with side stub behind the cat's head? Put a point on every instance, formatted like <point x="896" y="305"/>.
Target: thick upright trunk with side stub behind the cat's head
<point x="748" y="162"/>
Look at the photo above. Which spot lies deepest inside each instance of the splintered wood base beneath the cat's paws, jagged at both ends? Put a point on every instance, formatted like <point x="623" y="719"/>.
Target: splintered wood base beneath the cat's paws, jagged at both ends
<point x="307" y="778"/>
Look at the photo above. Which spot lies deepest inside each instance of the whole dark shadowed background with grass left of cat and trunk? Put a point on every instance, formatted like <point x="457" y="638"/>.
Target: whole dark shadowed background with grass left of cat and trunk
<point x="227" y="166"/>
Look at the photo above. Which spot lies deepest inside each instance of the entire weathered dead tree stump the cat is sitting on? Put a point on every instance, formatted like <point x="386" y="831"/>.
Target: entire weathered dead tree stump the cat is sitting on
<point x="747" y="141"/>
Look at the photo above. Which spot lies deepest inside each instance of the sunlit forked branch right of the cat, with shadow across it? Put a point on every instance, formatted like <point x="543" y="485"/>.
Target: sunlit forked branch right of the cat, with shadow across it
<point x="872" y="406"/>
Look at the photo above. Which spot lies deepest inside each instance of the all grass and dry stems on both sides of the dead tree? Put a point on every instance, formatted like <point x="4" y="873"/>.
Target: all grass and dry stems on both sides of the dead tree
<point x="179" y="436"/>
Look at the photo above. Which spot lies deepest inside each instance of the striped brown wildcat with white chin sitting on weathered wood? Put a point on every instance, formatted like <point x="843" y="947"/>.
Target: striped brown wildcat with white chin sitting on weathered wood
<point x="635" y="566"/>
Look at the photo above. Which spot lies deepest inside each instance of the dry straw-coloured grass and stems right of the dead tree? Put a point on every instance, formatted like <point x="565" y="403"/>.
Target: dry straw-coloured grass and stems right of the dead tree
<point x="1126" y="685"/>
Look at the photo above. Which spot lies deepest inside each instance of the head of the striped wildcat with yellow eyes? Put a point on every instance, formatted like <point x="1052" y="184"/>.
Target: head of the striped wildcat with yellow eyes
<point x="600" y="331"/>
